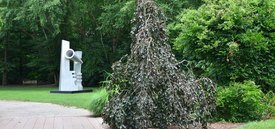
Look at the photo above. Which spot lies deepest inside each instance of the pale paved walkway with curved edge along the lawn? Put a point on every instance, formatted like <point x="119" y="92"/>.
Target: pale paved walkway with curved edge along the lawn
<point x="31" y="115"/>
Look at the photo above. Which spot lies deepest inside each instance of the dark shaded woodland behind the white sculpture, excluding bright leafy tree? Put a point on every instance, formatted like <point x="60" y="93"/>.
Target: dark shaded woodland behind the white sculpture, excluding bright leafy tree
<point x="31" y="31"/>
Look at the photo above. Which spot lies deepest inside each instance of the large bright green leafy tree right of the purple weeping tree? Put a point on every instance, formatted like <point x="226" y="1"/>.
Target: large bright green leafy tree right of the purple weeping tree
<point x="229" y="40"/>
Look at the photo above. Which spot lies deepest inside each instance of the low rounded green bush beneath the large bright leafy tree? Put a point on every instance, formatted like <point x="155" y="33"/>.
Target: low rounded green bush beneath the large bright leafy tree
<point x="240" y="102"/>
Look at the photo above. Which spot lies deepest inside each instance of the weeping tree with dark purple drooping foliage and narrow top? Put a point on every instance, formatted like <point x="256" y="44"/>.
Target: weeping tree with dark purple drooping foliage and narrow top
<point x="148" y="89"/>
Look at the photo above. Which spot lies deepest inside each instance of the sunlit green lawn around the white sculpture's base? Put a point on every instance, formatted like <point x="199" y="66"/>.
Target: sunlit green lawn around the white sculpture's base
<point x="42" y="94"/>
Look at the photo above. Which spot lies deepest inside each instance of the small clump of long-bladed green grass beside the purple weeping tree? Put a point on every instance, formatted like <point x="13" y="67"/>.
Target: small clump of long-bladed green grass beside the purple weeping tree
<point x="99" y="99"/>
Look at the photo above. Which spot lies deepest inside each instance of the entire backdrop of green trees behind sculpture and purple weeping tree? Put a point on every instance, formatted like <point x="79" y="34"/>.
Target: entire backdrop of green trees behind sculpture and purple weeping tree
<point x="228" y="41"/>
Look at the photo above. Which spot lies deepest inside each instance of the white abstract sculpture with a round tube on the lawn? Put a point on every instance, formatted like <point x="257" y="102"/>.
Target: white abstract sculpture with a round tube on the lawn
<point x="70" y="80"/>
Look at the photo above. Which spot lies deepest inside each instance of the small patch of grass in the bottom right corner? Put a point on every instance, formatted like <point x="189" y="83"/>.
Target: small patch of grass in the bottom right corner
<point x="265" y="124"/>
